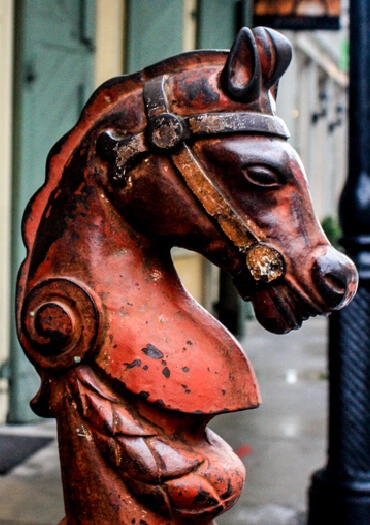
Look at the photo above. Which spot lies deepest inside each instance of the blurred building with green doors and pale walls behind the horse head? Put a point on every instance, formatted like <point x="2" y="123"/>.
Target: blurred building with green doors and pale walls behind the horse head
<point x="55" y="52"/>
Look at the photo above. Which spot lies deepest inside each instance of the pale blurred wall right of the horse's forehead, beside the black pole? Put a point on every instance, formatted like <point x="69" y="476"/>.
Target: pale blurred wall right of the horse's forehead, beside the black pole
<point x="318" y="124"/>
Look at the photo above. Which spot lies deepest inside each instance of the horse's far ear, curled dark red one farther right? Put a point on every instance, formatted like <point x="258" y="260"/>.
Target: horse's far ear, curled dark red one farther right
<point x="275" y="54"/>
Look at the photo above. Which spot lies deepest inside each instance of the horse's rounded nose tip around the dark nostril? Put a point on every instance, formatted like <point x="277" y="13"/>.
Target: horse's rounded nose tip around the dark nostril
<point x="335" y="277"/>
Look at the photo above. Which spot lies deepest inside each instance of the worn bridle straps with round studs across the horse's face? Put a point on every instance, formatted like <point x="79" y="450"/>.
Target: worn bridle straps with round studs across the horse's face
<point x="167" y="131"/>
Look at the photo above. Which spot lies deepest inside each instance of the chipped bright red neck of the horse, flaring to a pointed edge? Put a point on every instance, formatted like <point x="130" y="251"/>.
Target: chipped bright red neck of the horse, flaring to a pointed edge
<point x="153" y="337"/>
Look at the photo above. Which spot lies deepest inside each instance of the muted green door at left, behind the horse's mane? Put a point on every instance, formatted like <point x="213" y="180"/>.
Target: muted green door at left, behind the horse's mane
<point x="54" y="76"/>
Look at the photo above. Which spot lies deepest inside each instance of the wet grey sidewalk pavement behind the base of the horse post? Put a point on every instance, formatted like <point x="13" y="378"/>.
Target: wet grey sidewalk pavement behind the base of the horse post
<point x="282" y="443"/>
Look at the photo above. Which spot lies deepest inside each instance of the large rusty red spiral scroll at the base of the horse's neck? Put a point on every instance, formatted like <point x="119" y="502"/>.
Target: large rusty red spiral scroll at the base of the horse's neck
<point x="60" y="323"/>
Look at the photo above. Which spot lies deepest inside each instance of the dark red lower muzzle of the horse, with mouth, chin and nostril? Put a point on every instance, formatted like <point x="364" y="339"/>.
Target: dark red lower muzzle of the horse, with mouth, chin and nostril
<point x="327" y="284"/>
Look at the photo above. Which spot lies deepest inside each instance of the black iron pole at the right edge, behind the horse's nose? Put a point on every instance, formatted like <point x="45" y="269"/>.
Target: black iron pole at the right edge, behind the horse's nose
<point x="340" y="493"/>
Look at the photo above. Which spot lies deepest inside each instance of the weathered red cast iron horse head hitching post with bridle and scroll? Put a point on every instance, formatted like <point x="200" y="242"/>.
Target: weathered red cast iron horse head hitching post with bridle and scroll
<point x="187" y="152"/>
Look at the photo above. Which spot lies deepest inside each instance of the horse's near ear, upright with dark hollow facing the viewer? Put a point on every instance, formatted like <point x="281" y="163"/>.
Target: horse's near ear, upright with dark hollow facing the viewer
<point x="241" y="75"/>
